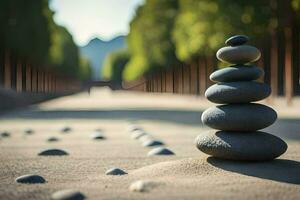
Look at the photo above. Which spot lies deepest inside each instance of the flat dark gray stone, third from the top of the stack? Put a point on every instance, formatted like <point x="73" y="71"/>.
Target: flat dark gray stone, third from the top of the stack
<point x="237" y="73"/>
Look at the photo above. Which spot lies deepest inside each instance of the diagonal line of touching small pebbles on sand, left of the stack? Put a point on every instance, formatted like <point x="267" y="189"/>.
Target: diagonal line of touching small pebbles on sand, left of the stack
<point x="148" y="140"/>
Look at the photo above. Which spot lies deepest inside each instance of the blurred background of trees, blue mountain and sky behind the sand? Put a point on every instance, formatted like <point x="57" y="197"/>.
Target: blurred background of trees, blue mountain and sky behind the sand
<point x="53" y="47"/>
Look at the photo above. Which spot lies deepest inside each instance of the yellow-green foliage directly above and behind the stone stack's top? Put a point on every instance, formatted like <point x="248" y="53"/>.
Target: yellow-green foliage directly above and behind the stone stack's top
<point x="201" y="27"/>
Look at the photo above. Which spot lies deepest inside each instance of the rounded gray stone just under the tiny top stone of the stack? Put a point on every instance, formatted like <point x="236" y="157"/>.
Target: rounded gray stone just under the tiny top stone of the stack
<point x="238" y="54"/>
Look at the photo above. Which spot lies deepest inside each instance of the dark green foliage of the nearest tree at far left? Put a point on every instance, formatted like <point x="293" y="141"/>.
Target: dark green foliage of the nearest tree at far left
<point x="24" y="28"/>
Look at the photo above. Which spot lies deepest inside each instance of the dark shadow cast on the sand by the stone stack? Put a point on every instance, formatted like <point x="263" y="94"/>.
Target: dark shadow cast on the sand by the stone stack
<point x="280" y="170"/>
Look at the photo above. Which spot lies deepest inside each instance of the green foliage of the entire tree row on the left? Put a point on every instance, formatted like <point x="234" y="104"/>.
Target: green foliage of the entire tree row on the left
<point x="29" y="34"/>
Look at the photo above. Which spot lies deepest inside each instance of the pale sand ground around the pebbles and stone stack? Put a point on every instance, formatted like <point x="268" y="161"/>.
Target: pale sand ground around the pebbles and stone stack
<point x="173" y="119"/>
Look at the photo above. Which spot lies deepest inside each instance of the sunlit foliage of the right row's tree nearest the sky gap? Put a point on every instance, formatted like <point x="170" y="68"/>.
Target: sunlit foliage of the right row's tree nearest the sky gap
<point x="149" y="40"/>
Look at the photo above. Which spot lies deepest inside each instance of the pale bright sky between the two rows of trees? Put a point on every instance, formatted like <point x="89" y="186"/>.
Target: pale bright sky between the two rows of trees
<point x="86" y="19"/>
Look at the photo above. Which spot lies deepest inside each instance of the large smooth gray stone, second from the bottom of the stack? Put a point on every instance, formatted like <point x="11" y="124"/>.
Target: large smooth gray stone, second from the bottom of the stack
<point x="239" y="117"/>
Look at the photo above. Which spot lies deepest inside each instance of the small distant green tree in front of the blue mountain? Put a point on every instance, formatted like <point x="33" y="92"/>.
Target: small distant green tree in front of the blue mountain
<point x="114" y="65"/>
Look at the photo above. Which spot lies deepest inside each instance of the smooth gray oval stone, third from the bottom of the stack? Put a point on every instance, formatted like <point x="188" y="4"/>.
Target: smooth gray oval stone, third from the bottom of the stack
<point x="237" y="92"/>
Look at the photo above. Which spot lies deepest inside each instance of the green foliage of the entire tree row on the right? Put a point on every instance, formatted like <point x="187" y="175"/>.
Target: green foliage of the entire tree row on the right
<point x="166" y="32"/>
